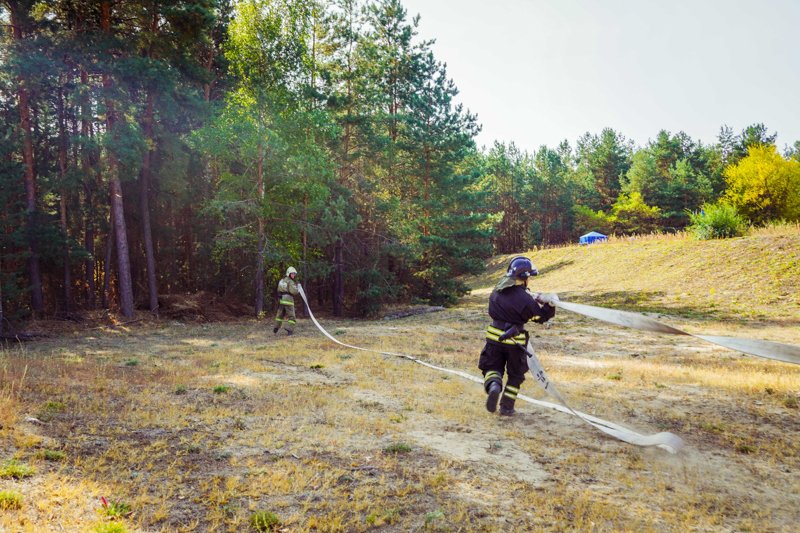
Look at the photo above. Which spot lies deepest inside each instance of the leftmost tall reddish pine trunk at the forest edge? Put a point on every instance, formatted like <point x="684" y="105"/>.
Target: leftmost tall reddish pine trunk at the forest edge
<point x="37" y="297"/>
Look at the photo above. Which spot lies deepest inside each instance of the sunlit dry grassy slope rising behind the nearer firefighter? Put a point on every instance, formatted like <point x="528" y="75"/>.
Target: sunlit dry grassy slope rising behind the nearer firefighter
<point x="752" y="279"/>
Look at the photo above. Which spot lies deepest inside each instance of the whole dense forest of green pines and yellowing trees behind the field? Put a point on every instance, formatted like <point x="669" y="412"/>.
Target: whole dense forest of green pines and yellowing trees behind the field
<point x="156" y="147"/>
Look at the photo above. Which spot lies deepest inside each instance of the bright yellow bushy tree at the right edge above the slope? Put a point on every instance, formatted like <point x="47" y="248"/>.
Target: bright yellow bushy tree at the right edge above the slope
<point x="764" y="186"/>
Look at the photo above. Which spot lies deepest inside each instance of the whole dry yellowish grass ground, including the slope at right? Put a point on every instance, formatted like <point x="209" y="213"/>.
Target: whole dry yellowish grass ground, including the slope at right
<point x="179" y="426"/>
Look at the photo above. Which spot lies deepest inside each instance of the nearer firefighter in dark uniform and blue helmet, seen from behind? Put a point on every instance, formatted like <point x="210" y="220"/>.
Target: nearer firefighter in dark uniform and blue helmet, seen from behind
<point x="511" y="305"/>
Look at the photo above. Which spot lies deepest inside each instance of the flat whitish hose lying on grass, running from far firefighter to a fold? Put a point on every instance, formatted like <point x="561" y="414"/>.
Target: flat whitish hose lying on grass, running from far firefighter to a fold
<point x="668" y="441"/>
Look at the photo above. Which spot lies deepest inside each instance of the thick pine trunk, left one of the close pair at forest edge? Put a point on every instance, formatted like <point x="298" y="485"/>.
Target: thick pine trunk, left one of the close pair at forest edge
<point x="124" y="282"/>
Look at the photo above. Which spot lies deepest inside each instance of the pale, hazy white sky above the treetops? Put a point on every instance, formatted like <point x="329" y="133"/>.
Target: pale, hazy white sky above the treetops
<point x="540" y="71"/>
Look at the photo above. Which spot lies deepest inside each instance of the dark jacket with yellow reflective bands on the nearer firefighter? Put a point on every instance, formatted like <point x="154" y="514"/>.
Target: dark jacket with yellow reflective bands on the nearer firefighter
<point x="515" y="306"/>
